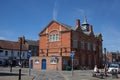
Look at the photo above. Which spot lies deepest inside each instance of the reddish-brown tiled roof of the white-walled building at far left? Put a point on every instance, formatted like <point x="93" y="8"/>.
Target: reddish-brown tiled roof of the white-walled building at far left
<point x="10" y="45"/>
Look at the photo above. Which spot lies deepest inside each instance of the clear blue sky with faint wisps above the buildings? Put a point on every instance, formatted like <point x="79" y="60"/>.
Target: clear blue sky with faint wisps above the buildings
<point x="30" y="17"/>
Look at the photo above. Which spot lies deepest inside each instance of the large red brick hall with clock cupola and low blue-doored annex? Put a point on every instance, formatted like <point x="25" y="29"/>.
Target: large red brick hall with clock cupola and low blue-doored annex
<point x="58" y="40"/>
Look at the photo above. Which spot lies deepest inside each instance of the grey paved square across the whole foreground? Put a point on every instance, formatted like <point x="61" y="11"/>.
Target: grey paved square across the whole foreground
<point x="5" y="74"/>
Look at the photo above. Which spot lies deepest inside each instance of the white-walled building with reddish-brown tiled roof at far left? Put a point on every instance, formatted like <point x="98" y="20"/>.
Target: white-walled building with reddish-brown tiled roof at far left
<point x="10" y="53"/>
